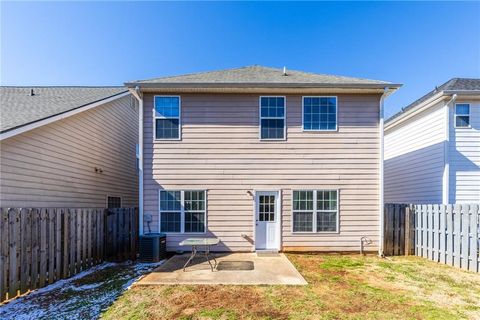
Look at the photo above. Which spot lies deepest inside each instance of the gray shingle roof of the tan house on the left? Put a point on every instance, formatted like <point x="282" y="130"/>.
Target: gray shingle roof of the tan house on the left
<point x="19" y="108"/>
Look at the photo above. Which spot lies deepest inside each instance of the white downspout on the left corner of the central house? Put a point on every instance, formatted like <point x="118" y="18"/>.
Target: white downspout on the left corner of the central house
<point x="138" y="95"/>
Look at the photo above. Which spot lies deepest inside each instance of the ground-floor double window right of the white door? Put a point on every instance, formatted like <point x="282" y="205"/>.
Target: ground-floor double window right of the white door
<point x="315" y="211"/>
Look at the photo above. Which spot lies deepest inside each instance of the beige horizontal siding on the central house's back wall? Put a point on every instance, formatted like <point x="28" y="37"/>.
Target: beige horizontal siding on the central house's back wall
<point x="220" y="152"/>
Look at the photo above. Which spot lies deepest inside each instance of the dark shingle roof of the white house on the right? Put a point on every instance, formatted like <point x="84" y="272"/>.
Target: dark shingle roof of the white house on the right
<point x="453" y="85"/>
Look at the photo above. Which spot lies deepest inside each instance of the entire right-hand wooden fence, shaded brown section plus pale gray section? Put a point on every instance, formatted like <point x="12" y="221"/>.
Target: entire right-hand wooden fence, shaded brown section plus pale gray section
<point x="448" y="234"/>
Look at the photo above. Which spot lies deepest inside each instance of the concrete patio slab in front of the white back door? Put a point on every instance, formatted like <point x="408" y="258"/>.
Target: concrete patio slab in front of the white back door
<point x="268" y="270"/>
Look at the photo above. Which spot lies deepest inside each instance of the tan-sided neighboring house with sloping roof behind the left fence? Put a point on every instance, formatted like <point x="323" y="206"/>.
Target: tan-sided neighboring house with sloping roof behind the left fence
<point x="68" y="147"/>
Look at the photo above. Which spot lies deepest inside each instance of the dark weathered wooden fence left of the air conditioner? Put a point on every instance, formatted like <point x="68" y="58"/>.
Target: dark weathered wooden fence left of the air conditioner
<point x="41" y="246"/>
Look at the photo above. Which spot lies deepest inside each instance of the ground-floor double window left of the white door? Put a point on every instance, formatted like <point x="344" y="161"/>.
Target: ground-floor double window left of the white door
<point x="183" y="211"/>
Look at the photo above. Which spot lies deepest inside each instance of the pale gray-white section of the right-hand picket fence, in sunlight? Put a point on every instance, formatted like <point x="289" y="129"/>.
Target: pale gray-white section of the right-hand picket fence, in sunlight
<point x="448" y="234"/>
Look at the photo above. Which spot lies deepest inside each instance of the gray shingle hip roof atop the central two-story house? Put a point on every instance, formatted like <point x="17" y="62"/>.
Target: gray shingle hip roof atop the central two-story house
<point x="257" y="75"/>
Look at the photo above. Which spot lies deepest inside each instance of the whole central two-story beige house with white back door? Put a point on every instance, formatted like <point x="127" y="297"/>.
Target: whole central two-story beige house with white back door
<point x="262" y="158"/>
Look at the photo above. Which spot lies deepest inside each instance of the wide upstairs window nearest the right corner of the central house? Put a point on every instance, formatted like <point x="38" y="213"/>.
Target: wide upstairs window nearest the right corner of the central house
<point x="319" y="113"/>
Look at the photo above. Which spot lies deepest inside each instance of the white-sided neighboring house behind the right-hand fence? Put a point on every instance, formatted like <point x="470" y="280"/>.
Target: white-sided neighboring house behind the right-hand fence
<point x="432" y="147"/>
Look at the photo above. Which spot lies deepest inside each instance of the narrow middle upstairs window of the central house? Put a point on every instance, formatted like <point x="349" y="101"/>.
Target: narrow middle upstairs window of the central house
<point x="272" y="118"/>
